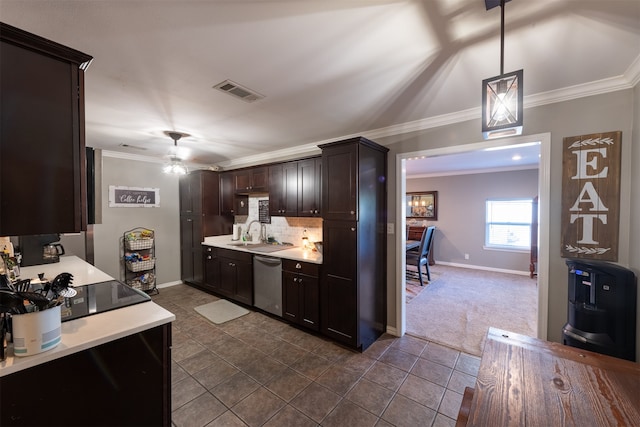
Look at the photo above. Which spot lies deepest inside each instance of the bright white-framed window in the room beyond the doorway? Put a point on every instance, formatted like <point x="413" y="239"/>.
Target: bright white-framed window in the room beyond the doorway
<point x="508" y="224"/>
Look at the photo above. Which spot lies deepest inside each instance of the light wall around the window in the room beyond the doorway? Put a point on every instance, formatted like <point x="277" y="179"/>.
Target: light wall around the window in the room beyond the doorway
<point x="461" y="215"/>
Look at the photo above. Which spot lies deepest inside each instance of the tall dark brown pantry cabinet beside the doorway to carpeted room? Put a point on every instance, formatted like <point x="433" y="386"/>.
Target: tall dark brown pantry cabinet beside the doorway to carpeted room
<point x="354" y="212"/>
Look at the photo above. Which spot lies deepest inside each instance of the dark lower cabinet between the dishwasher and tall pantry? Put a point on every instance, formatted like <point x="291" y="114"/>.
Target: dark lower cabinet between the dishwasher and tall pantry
<point x="300" y="293"/>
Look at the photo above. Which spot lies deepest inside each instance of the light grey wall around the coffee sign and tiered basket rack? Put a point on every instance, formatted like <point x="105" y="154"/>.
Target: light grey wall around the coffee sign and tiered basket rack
<point x="164" y="220"/>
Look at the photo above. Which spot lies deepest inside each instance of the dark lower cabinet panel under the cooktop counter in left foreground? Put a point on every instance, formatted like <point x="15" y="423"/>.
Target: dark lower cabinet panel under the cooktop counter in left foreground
<point x="126" y="382"/>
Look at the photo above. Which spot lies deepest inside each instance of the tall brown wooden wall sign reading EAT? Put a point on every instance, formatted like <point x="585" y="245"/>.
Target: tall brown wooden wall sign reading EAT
<point x="591" y="196"/>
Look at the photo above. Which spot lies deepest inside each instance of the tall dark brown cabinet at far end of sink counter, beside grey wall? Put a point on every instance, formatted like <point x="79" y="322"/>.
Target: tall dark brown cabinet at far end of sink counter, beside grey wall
<point x="200" y="216"/>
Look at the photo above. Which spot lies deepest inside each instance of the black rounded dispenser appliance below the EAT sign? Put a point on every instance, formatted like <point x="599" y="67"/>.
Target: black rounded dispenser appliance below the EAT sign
<point x="602" y="309"/>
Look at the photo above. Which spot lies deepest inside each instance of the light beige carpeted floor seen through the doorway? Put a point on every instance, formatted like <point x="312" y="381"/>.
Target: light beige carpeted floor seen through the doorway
<point x="459" y="305"/>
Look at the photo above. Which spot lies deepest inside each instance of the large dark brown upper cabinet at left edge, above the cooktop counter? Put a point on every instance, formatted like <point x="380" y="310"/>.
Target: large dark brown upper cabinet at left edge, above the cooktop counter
<point x="42" y="143"/>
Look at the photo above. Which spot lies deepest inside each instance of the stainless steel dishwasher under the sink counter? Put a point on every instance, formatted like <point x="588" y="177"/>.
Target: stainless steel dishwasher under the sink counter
<point x="267" y="284"/>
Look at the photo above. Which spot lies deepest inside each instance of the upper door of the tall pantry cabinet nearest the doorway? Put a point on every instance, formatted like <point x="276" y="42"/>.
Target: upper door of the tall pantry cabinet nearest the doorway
<point x="339" y="182"/>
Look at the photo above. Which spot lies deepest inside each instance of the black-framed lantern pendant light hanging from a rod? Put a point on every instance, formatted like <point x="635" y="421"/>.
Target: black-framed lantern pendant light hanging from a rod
<point x="502" y="95"/>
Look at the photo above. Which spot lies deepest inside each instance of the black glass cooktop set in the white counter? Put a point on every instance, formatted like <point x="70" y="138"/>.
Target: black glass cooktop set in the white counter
<point x="100" y="297"/>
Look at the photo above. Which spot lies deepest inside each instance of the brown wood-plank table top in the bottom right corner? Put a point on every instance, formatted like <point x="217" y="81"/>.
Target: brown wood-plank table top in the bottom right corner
<point x="525" y="381"/>
